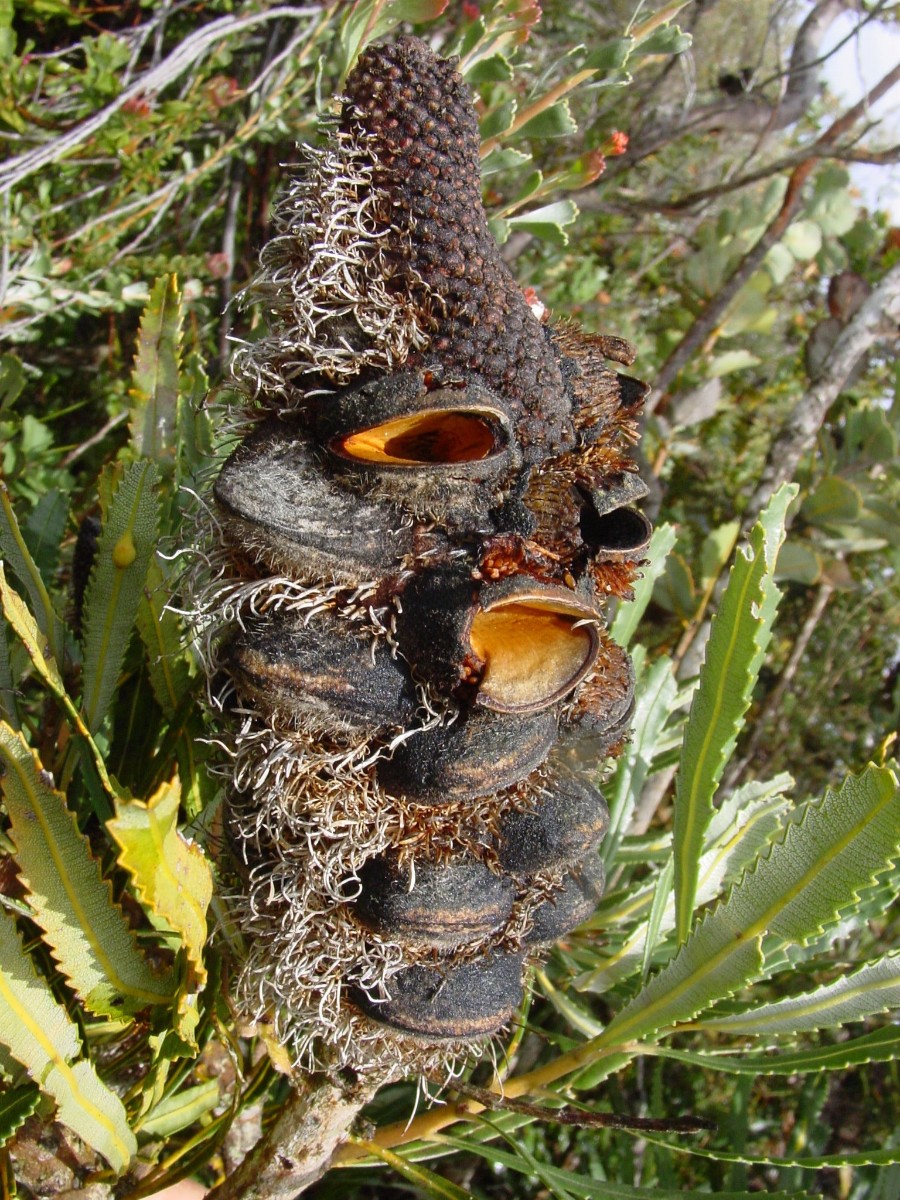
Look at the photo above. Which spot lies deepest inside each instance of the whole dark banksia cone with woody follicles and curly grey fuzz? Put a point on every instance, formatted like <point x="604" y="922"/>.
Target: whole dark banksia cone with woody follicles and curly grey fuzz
<point x="412" y="550"/>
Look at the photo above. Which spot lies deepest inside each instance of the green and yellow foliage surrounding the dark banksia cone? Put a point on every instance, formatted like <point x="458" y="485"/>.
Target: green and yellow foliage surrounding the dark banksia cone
<point x="643" y="175"/>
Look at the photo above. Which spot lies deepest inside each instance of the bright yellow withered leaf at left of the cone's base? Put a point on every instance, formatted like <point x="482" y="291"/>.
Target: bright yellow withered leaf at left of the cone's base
<point x="171" y="875"/>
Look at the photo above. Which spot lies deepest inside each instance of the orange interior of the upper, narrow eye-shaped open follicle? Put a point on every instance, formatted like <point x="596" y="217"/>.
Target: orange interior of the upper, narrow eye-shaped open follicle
<point x="437" y="437"/>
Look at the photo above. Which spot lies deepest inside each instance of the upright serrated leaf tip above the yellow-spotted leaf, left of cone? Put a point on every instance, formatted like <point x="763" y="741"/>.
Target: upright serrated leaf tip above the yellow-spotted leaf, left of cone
<point x="155" y="377"/>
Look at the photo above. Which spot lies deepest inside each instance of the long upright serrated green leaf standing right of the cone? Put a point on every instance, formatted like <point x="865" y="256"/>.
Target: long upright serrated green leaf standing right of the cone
<point x="741" y="633"/>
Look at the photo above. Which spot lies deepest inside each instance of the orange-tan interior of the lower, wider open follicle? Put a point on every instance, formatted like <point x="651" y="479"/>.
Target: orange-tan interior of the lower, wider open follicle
<point x="535" y="651"/>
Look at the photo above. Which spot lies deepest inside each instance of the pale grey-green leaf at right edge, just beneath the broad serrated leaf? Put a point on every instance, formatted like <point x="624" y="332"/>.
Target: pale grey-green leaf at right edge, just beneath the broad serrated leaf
<point x="874" y="989"/>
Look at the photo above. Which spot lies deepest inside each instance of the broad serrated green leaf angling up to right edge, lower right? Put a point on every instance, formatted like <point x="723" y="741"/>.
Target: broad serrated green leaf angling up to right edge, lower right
<point x="795" y="893"/>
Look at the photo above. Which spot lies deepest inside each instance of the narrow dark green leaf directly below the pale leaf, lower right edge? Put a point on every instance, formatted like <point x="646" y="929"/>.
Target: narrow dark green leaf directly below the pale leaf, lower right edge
<point x="880" y="1046"/>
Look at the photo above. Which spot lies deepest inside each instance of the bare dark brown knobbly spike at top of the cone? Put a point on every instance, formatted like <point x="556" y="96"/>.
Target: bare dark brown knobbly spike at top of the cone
<point x="422" y="131"/>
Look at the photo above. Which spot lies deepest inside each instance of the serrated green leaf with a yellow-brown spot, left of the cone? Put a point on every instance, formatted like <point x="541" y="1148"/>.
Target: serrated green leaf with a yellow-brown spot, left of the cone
<point x="117" y="585"/>
